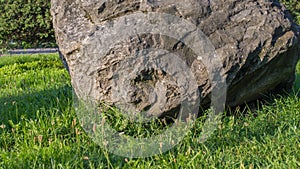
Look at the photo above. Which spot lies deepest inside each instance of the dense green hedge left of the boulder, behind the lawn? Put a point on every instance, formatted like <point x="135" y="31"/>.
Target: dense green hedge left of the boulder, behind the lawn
<point x="25" y="24"/>
